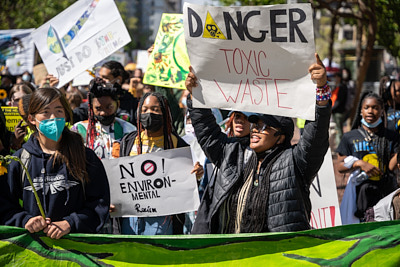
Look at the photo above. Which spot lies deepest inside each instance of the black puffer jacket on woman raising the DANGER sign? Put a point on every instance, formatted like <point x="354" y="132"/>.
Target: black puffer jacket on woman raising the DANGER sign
<point x="291" y="175"/>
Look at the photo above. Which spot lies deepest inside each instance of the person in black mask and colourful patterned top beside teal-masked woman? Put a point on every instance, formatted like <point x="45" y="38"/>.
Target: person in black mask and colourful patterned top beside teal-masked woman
<point x="103" y="131"/>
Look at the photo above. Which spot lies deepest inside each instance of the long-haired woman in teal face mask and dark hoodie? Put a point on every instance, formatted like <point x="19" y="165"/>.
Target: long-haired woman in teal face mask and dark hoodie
<point x="70" y="179"/>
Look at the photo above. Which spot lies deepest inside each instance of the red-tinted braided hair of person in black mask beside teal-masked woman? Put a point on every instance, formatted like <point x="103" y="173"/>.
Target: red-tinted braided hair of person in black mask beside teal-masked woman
<point x="99" y="88"/>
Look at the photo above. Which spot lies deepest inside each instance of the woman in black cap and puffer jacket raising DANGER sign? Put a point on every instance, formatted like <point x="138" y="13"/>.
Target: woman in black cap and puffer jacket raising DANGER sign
<point x="265" y="186"/>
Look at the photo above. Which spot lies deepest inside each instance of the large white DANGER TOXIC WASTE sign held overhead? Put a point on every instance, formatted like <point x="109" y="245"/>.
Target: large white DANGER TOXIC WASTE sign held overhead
<point x="252" y="58"/>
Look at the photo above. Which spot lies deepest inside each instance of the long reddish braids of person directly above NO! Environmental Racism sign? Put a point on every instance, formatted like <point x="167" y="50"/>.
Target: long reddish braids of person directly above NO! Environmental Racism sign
<point x="167" y="120"/>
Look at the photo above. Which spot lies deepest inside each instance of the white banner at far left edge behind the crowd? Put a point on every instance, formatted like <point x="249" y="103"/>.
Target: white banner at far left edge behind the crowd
<point x="17" y="51"/>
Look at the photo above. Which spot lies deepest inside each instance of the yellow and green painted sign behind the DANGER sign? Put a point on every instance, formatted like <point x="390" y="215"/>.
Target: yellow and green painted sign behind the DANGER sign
<point x="168" y="64"/>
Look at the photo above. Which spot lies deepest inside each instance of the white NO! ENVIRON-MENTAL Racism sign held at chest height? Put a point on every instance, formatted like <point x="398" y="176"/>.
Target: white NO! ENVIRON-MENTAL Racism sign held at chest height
<point x="153" y="184"/>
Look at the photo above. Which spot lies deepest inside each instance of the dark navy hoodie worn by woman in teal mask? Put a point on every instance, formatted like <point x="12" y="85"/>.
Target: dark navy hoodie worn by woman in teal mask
<point x="63" y="197"/>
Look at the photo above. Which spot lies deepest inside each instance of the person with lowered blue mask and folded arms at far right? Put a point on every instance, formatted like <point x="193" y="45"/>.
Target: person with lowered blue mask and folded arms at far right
<point x="365" y="151"/>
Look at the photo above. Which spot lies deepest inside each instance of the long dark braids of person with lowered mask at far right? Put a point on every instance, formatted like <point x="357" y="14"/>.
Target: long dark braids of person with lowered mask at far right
<point x="380" y="142"/>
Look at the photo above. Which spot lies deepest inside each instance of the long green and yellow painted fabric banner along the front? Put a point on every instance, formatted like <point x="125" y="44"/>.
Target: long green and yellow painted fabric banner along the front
<point x="368" y="244"/>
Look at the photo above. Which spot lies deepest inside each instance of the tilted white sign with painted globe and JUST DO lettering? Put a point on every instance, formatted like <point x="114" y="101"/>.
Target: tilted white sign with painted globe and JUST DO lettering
<point x="79" y="37"/>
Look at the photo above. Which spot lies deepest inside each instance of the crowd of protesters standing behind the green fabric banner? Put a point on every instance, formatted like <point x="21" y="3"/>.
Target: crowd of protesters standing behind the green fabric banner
<point x="260" y="180"/>
